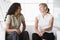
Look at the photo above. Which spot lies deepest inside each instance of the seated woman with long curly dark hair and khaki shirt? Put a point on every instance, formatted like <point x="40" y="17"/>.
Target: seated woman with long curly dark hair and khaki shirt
<point x="13" y="19"/>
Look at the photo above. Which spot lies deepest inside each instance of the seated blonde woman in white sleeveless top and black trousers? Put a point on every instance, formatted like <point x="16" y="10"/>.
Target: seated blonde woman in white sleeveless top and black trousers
<point x="43" y="24"/>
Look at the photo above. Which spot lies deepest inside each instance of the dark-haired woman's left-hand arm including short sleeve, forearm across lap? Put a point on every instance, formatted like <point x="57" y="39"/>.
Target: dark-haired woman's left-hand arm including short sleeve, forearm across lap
<point x="8" y="21"/>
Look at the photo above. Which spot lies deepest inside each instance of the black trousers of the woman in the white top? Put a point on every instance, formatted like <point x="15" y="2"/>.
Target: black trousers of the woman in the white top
<point x="46" y="36"/>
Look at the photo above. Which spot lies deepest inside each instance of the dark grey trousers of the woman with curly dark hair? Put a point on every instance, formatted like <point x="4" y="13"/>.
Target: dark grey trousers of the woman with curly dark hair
<point x="15" y="36"/>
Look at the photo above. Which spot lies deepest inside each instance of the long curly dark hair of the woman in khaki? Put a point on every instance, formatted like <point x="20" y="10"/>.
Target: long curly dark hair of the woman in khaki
<point x="12" y="9"/>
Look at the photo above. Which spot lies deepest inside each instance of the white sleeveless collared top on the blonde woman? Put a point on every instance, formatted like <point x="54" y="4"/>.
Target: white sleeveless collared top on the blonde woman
<point x="44" y="21"/>
